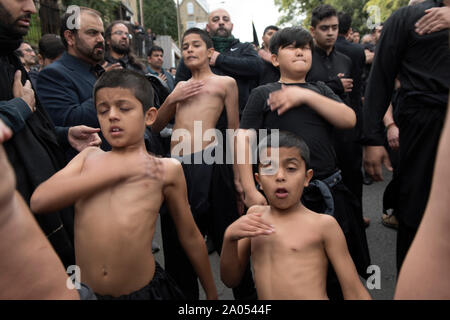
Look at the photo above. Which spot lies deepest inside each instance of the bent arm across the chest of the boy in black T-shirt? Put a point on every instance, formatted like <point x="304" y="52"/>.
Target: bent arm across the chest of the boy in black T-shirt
<point x="337" y="113"/>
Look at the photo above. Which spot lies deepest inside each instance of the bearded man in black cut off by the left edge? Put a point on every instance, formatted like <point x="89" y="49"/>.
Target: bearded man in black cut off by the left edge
<point x="35" y="148"/>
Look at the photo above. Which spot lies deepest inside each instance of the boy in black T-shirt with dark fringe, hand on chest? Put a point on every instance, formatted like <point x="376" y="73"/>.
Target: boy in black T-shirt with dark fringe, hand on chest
<point x="310" y="110"/>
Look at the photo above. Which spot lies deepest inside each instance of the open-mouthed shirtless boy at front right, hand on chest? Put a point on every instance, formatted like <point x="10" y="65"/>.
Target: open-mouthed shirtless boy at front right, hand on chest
<point x="290" y="245"/>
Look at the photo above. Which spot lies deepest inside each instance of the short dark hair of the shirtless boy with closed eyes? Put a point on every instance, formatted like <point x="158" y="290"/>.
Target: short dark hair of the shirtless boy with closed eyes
<point x="127" y="79"/>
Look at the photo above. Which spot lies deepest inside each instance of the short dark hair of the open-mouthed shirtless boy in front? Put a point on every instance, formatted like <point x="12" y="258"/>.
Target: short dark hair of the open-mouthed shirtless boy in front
<point x="286" y="140"/>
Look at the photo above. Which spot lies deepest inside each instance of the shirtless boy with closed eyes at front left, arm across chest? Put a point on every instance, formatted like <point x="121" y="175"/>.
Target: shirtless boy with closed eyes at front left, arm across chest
<point x="117" y="197"/>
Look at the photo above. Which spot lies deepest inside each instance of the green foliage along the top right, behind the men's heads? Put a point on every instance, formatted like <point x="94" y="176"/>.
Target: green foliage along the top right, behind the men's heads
<point x="298" y="12"/>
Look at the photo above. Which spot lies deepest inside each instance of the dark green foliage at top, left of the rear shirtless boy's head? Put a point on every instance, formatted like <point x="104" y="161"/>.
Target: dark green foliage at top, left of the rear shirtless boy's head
<point x="161" y="17"/>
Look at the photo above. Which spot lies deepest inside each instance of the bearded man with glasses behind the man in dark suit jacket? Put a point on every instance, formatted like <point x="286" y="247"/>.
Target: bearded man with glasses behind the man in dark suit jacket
<point x="118" y="38"/>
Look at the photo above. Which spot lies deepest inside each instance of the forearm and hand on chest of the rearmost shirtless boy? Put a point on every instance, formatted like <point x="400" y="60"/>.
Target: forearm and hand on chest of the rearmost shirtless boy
<point x="184" y="90"/>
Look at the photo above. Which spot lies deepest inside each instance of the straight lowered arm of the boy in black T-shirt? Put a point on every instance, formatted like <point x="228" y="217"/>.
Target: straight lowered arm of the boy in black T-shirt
<point x="246" y="139"/>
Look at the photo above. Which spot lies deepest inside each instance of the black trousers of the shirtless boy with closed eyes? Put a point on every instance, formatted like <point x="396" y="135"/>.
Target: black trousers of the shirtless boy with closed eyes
<point x="161" y="287"/>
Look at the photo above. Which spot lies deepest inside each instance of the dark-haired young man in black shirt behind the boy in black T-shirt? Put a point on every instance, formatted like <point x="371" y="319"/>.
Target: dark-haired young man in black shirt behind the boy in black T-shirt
<point x="338" y="71"/>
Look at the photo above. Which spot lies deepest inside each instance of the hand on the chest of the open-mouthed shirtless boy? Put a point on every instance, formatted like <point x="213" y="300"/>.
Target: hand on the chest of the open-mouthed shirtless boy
<point x="249" y="225"/>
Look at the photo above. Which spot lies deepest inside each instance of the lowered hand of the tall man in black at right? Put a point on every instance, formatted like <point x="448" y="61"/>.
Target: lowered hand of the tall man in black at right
<point x="373" y="157"/>
